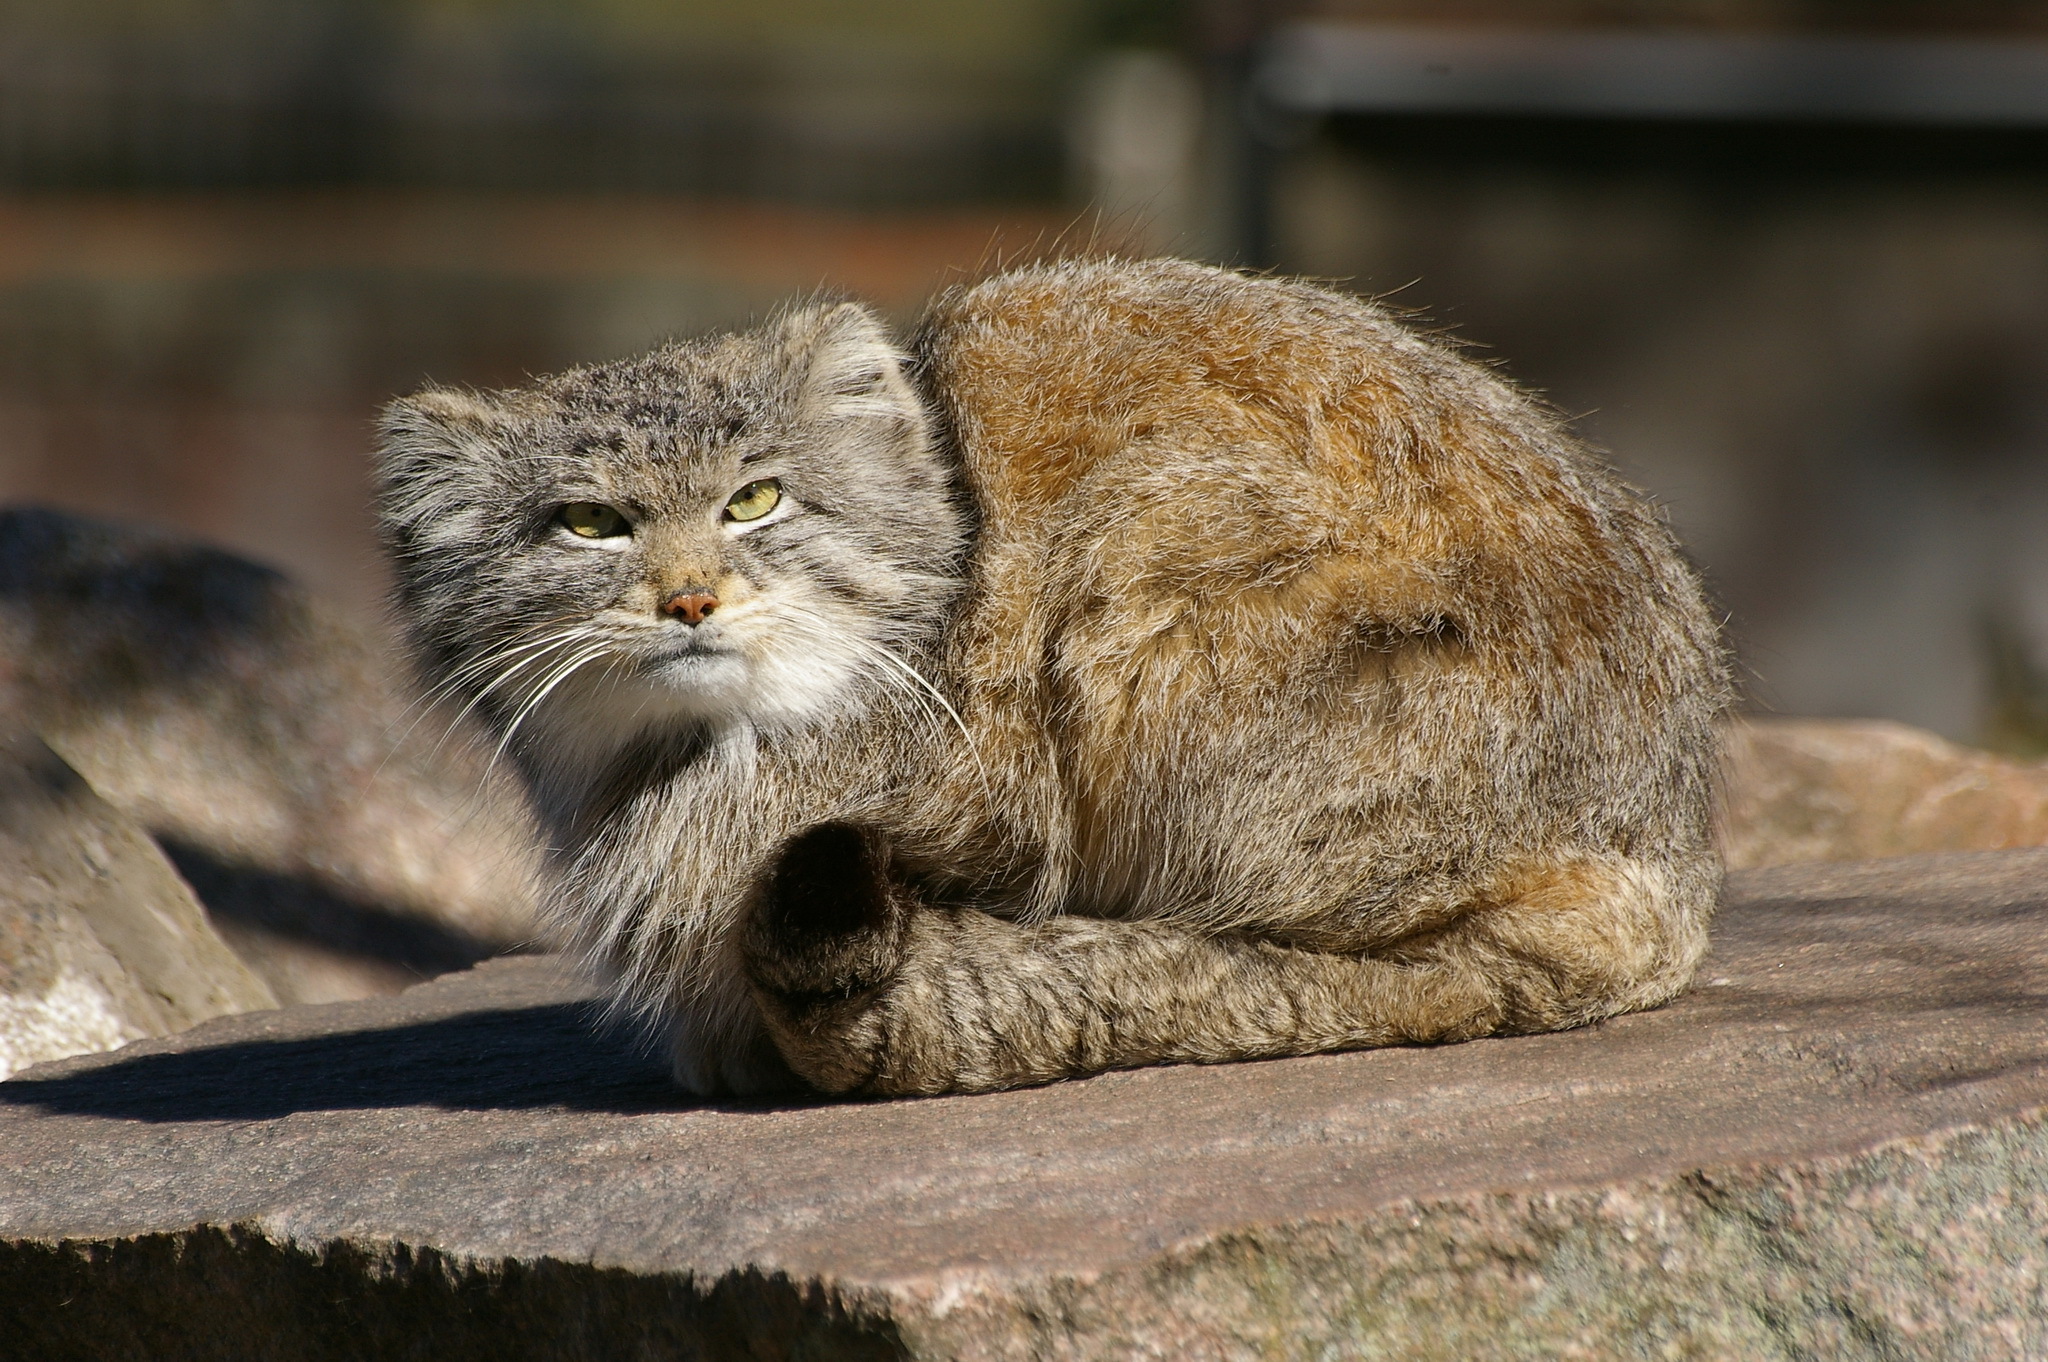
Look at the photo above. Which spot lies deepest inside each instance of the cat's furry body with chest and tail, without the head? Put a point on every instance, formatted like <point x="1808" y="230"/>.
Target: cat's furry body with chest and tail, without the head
<point x="1314" y="691"/>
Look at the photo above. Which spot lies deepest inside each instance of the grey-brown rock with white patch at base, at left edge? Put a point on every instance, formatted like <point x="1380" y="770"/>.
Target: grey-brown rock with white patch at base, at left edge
<point x="101" y="943"/>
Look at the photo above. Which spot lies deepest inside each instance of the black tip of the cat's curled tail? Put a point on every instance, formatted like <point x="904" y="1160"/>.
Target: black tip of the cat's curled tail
<point x="828" y="923"/>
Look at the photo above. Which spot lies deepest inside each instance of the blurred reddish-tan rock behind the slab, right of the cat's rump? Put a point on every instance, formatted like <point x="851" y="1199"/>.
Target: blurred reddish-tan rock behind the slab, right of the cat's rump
<point x="1857" y="790"/>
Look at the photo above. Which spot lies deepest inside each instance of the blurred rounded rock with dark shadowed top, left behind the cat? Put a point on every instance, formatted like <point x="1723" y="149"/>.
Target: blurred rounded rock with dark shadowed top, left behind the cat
<point x="343" y="841"/>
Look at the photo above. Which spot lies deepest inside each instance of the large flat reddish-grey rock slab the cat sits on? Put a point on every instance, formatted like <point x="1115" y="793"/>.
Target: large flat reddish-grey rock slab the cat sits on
<point x="1834" y="1148"/>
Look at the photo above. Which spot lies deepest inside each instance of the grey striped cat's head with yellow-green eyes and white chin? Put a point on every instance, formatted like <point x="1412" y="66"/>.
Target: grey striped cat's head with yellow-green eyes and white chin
<point x="726" y="531"/>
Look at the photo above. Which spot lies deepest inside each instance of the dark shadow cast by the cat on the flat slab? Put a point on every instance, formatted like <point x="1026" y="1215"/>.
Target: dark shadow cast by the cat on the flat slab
<point x="554" y="1056"/>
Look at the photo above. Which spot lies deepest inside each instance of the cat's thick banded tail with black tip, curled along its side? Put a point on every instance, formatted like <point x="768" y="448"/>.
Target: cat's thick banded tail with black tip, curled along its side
<point x="865" y="990"/>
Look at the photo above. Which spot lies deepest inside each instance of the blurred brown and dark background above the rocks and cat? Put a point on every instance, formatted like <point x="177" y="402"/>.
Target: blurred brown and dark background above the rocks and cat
<point x="1785" y="259"/>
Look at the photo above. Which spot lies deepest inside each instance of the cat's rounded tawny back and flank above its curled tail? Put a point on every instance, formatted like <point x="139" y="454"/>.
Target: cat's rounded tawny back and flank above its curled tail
<point x="1256" y="568"/>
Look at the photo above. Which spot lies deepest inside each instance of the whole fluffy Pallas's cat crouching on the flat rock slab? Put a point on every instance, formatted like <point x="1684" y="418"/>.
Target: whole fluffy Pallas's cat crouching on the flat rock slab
<point x="1150" y="665"/>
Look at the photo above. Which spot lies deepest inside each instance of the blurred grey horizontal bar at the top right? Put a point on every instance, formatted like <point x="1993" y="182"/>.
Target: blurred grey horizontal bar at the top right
<point x="1605" y="75"/>
